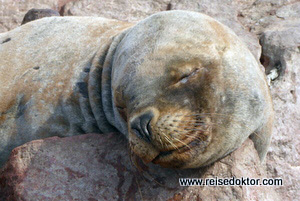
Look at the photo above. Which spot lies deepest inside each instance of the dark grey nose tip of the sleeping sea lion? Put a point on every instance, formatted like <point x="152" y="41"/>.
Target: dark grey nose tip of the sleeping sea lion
<point x="141" y="126"/>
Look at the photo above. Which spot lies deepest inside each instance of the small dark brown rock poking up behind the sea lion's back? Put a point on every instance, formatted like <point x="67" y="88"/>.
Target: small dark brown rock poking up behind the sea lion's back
<point x="34" y="14"/>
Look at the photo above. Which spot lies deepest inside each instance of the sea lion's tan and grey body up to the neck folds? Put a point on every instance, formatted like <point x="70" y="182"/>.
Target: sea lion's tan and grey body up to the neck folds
<point x="47" y="74"/>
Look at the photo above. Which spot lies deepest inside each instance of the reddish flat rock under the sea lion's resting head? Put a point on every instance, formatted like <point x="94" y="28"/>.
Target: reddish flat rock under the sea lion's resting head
<point x="98" y="167"/>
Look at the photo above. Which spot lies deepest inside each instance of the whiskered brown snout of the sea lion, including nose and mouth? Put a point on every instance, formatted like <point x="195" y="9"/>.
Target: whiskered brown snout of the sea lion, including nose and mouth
<point x="172" y="138"/>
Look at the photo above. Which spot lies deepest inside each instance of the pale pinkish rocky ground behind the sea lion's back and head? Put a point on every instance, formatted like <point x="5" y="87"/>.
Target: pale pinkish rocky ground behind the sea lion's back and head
<point x="272" y="24"/>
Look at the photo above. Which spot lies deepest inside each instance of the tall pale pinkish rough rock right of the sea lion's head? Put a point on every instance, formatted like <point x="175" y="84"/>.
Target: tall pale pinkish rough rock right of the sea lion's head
<point x="281" y="52"/>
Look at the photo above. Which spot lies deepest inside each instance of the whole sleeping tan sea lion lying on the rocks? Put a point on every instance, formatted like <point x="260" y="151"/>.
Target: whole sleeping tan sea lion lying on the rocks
<point x="179" y="85"/>
